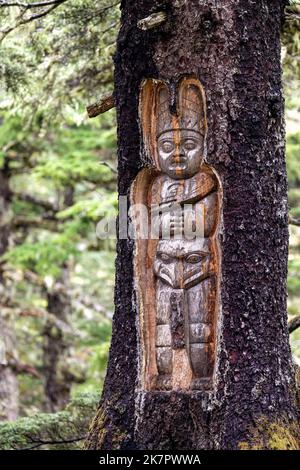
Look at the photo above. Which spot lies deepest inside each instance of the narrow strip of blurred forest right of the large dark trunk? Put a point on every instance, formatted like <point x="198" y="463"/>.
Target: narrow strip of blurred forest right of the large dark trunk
<point x="291" y="48"/>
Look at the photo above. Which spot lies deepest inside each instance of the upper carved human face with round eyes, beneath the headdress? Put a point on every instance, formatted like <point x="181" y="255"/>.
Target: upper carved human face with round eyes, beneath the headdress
<point x="180" y="153"/>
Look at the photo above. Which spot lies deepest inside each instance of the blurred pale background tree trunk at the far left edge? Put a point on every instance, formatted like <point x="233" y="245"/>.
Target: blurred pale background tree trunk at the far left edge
<point x="9" y="388"/>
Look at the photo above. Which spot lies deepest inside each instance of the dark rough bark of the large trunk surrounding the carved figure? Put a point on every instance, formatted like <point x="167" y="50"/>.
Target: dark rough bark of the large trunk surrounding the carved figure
<point x="233" y="48"/>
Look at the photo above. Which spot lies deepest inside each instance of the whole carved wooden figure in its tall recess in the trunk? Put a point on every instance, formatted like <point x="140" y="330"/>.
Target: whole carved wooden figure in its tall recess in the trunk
<point x="176" y="215"/>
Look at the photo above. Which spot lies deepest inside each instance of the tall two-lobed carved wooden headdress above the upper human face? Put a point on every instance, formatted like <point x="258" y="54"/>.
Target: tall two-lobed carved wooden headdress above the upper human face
<point x="156" y="102"/>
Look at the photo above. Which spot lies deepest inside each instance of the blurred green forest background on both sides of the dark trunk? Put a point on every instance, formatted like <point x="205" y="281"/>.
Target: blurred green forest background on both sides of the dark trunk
<point x="57" y="180"/>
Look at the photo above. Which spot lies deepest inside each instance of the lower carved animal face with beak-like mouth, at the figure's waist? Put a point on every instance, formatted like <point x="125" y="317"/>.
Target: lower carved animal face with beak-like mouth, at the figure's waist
<point x="182" y="263"/>
